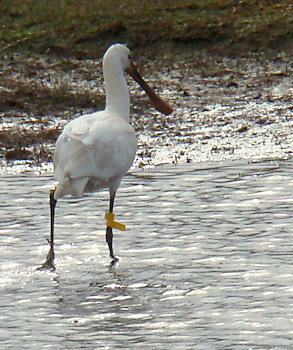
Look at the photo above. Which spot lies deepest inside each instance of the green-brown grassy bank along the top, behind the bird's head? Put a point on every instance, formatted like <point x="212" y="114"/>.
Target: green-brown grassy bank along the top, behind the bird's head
<point x="77" y="27"/>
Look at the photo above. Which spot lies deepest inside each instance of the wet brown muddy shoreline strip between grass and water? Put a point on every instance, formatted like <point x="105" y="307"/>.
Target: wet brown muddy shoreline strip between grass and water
<point x="224" y="108"/>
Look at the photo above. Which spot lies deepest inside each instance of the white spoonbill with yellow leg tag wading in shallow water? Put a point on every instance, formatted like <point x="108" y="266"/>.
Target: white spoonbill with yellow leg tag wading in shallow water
<point x="96" y="150"/>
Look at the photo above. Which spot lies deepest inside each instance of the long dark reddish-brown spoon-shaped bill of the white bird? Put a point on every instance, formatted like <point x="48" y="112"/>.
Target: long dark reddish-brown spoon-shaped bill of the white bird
<point x="157" y="102"/>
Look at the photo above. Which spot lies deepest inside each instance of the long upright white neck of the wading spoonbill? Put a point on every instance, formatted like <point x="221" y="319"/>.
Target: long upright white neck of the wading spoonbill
<point x="117" y="95"/>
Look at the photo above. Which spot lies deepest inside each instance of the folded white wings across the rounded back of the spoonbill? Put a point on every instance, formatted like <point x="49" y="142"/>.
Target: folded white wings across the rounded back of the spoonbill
<point x="99" y="146"/>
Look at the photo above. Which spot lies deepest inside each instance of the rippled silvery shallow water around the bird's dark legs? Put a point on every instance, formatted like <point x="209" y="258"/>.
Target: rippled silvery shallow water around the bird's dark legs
<point x="206" y="262"/>
